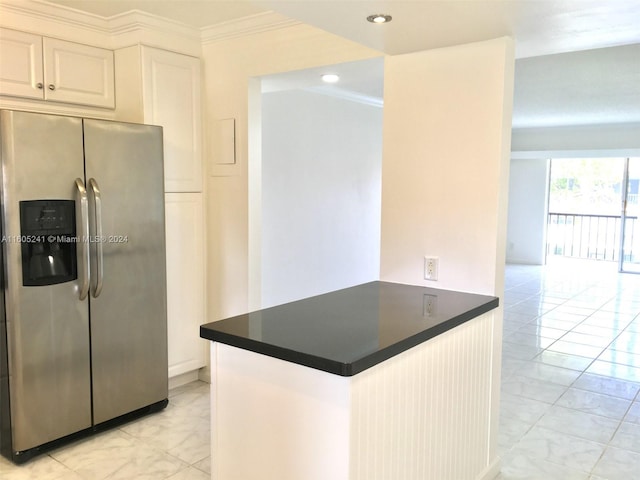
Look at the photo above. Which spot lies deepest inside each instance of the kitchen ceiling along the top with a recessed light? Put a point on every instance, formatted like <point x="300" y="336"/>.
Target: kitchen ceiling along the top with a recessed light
<point x="540" y="27"/>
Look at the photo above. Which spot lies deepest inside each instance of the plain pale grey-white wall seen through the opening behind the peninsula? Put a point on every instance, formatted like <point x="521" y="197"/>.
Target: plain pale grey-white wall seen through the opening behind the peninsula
<point x="321" y="187"/>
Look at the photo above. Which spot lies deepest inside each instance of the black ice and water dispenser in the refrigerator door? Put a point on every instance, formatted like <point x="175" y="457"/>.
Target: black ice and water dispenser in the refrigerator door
<point x="48" y="240"/>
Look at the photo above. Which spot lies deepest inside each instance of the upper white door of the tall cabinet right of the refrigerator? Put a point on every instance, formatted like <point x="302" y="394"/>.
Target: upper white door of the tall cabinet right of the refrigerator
<point x="171" y="91"/>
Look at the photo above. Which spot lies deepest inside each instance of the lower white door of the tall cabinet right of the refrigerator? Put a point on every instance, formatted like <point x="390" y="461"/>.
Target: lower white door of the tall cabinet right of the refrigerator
<point x="185" y="281"/>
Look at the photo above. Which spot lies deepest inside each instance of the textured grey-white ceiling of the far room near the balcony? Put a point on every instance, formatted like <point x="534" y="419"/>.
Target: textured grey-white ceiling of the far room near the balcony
<point x="591" y="87"/>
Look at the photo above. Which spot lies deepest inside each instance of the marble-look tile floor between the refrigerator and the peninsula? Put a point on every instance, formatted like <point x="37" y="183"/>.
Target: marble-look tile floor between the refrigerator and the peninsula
<point x="172" y="444"/>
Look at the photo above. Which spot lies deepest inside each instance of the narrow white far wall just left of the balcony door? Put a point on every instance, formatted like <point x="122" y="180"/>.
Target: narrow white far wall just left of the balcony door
<point x="527" y="221"/>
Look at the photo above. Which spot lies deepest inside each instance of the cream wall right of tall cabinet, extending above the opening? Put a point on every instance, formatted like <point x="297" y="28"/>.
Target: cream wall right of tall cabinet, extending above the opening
<point x="230" y="69"/>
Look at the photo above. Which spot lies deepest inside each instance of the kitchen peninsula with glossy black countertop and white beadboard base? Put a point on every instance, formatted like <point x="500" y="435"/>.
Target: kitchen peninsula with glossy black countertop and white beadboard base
<point x="380" y="381"/>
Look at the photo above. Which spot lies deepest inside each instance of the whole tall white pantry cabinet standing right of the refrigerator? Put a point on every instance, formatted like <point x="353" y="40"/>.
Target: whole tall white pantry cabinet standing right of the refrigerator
<point x="163" y="88"/>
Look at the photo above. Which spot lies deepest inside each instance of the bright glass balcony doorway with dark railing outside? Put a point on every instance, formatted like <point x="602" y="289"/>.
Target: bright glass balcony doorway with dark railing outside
<point x="593" y="210"/>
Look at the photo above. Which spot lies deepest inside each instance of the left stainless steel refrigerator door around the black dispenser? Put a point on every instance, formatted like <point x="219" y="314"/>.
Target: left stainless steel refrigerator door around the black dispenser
<point x="47" y="326"/>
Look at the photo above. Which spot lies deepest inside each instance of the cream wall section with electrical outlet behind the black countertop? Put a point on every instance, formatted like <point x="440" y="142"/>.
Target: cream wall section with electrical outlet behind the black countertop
<point x="447" y="130"/>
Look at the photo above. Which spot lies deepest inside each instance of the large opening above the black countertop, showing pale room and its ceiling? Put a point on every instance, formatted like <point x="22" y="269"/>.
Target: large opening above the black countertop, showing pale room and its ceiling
<point x="316" y="181"/>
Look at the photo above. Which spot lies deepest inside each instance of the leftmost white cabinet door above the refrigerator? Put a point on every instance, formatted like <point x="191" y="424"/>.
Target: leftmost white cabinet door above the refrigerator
<point x="21" y="64"/>
